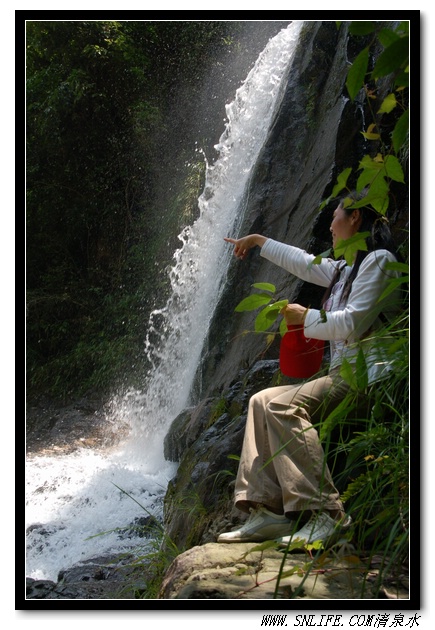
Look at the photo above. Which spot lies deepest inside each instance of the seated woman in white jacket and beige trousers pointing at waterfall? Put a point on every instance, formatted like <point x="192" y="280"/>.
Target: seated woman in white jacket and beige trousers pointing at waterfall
<point x="295" y="487"/>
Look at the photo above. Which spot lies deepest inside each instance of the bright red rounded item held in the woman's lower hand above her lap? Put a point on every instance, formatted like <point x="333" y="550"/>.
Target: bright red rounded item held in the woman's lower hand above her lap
<point x="299" y="356"/>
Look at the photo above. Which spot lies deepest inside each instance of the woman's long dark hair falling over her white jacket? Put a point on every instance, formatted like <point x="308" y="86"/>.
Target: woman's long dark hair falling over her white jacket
<point x="380" y="238"/>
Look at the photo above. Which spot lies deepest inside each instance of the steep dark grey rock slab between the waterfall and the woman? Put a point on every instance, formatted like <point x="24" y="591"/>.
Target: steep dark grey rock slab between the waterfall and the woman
<point x="314" y="136"/>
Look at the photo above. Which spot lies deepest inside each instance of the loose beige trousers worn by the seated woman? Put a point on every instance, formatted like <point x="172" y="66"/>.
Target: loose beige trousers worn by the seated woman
<point x="280" y="424"/>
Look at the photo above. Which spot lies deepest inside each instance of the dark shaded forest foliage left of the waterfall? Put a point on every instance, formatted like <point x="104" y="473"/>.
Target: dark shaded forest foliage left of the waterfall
<point x="110" y="108"/>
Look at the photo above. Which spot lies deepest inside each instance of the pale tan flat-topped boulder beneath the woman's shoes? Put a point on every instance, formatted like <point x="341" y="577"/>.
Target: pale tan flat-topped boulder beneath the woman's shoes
<point x="245" y="571"/>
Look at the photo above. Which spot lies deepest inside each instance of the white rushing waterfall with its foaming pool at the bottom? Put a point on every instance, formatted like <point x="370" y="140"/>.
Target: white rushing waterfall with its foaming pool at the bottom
<point x="73" y="498"/>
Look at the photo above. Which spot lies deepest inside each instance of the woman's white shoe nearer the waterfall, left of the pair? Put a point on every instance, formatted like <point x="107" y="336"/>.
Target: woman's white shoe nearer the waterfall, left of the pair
<point x="261" y="525"/>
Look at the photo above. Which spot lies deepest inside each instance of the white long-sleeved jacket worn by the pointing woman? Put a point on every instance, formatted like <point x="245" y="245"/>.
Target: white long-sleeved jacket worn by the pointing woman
<point x="348" y="325"/>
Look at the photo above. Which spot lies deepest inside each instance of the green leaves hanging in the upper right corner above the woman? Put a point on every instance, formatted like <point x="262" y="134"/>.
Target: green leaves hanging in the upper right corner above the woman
<point x="383" y="166"/>
